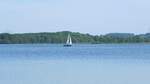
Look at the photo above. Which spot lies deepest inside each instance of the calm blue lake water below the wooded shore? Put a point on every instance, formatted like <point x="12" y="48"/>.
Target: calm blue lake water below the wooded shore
<point x="80" y="64"/>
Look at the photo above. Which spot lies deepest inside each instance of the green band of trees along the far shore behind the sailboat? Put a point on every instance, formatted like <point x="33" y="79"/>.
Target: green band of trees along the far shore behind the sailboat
<point x="60" y="37"/>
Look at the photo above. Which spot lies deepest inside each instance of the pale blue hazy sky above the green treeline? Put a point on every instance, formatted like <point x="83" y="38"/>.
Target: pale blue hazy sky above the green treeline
<point x="85" y="16"/>
